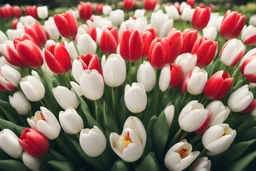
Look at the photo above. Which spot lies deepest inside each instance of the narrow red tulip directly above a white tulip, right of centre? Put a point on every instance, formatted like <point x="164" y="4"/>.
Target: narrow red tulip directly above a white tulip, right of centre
<point x="189" y="39"/>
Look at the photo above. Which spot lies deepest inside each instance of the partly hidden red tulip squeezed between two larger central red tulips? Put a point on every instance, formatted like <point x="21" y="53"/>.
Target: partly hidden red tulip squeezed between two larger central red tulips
<point x="148" y="36"/>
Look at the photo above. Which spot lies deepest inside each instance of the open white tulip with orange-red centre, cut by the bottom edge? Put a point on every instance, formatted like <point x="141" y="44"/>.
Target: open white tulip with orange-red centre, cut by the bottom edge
<point x="180" y="156"/>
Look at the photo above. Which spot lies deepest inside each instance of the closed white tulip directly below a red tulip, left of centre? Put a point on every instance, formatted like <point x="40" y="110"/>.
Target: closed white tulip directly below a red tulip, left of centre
<point x="92" y="84"/>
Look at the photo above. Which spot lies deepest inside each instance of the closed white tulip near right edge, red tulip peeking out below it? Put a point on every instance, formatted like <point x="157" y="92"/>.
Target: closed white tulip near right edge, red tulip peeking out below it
<point x="240" y="99"/>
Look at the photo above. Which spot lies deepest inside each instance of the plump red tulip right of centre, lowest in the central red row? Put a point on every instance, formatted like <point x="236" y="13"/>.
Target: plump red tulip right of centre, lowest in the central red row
<point x="159" y="52"/>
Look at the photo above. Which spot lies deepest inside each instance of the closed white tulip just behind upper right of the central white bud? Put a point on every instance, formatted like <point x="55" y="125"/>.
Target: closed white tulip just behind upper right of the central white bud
<point x="144" y="71"/>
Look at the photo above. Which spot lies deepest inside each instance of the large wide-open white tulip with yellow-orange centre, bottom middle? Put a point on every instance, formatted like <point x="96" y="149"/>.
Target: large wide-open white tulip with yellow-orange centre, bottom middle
<point x="129" y="146"/>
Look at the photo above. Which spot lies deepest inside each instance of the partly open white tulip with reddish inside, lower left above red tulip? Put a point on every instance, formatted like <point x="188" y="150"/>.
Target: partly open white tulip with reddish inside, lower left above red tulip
<point x="45" y="122"/>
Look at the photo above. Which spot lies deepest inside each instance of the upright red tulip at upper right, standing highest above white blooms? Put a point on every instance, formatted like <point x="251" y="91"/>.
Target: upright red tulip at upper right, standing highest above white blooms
<point x="201" y="17"/>
